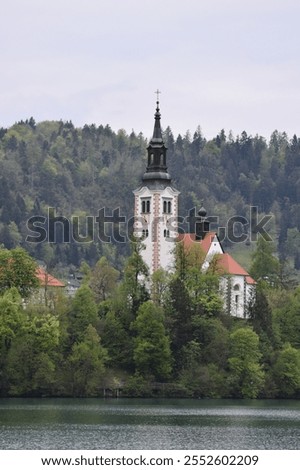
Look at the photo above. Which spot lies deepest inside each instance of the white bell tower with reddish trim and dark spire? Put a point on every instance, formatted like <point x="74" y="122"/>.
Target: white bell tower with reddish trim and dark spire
<point x="156" y="206"/>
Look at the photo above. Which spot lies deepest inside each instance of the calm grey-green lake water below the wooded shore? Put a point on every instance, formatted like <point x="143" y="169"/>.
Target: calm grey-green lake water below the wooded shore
<point x="149" y="424"/>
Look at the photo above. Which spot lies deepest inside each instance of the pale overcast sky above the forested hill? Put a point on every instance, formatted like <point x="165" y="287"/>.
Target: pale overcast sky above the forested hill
<point x="232" y="64"/>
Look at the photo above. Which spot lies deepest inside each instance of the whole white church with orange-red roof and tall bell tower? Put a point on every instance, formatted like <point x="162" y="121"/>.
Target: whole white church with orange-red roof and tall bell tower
<point x="156" y="222"/>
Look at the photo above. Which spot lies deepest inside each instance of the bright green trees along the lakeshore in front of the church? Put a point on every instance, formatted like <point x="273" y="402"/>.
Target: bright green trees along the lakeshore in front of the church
<point x="176" y="341"/>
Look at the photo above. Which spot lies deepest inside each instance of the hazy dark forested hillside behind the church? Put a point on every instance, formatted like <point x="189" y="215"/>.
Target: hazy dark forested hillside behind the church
<point x="77" y="171"/>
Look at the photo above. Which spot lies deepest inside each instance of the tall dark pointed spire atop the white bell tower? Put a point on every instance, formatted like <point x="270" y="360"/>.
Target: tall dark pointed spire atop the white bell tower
<point x="157" y="152"/>
